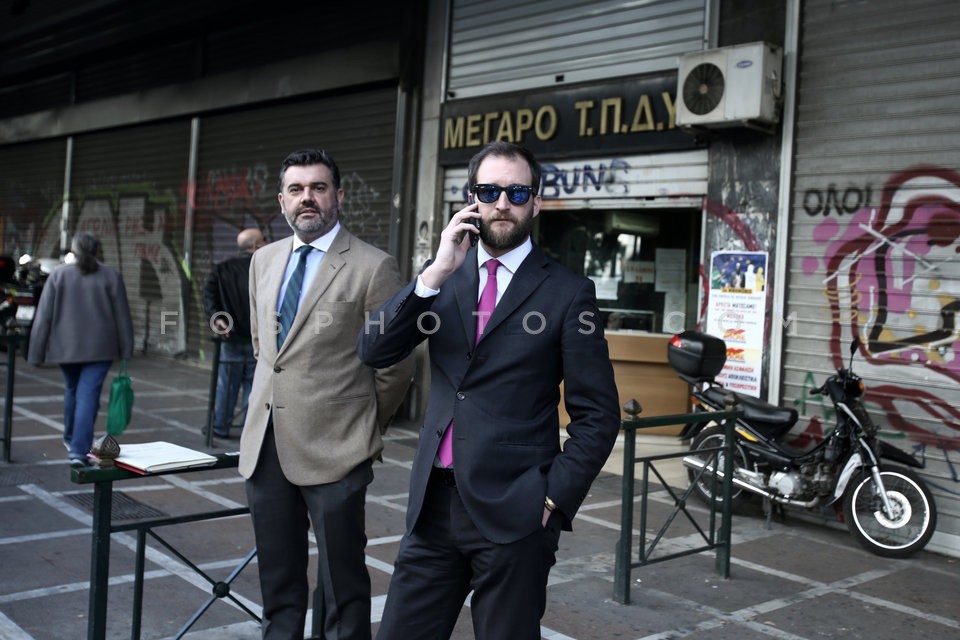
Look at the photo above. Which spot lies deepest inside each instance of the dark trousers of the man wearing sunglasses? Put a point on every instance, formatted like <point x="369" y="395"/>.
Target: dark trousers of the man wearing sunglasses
<point x="445" y="557"/>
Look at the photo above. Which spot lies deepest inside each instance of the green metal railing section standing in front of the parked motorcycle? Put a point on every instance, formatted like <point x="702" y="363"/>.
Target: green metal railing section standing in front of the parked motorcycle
<point x="714" y="538"/>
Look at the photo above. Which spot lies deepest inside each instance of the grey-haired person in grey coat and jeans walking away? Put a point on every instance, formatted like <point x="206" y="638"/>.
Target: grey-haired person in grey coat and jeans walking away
<point x="83" y="323"/>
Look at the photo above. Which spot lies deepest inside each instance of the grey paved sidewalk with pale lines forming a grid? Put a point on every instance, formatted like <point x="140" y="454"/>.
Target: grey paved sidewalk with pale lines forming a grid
<point x="797" y="579"/>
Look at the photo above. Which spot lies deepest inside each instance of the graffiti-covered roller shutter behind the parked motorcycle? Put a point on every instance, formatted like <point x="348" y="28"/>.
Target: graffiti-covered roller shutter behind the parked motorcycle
<point x="875" y="232"/>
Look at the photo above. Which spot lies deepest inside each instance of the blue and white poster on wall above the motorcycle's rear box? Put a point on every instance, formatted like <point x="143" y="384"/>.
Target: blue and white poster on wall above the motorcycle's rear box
<point x="735" y="313"/>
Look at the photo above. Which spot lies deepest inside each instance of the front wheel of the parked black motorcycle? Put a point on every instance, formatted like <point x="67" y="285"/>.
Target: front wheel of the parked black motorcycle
<point x="896" y="535"/>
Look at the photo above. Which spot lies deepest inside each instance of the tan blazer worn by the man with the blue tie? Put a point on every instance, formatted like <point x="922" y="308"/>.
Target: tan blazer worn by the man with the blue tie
<point x="328" y="407"/>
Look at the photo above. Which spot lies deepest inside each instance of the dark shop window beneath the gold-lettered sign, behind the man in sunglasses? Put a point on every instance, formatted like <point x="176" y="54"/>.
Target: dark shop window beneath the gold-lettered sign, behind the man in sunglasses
<point x="642" y="262"/>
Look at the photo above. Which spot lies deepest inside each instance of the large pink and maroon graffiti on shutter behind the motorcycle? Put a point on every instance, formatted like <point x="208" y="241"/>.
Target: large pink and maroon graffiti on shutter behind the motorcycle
<point x="891" y="276"/>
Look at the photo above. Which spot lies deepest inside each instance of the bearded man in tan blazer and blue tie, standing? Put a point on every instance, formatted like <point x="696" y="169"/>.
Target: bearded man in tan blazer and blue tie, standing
<point x="316" y="412"/>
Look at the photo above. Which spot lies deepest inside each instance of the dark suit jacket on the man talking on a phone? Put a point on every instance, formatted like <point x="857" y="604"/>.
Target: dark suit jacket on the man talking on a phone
<point x="503" y="393"/>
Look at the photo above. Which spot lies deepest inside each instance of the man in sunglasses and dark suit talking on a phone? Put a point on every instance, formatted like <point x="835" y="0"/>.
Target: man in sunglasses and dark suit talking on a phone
<point x="490" y="521"/>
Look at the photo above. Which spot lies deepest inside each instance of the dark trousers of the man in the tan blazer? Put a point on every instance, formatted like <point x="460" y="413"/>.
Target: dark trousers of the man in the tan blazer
<point x="282" y="513"/>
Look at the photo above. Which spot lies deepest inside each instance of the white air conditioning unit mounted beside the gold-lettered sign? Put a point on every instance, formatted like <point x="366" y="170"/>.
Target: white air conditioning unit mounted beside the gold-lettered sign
<point x="730" y="87"/>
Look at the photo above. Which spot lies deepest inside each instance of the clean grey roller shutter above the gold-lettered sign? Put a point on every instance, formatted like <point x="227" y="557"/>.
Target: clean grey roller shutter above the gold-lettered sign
<point x="503" y="45"/>
